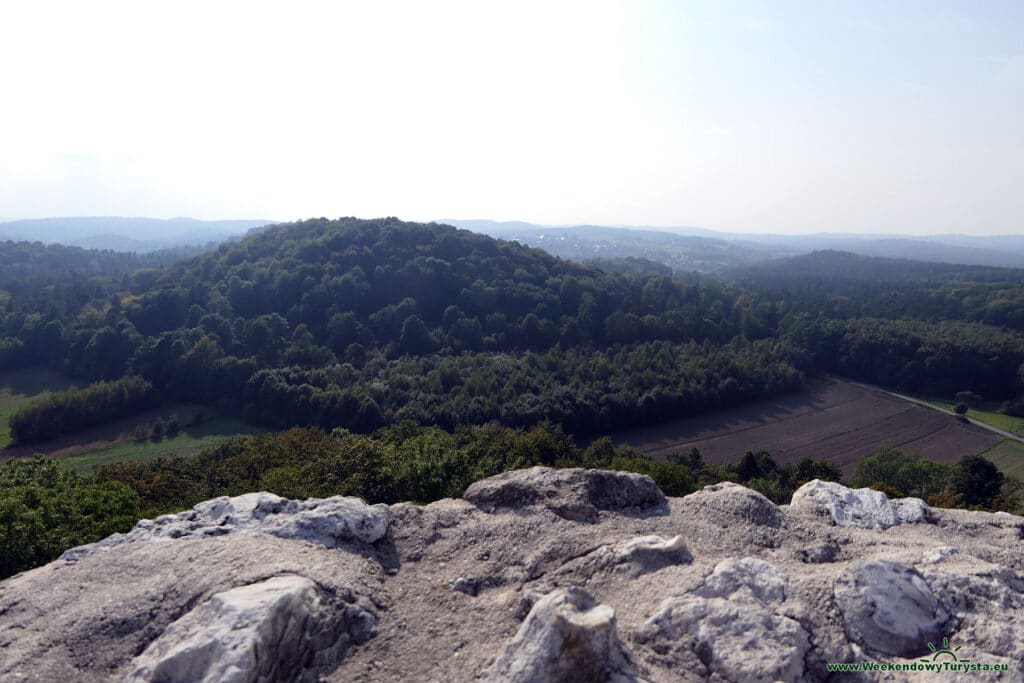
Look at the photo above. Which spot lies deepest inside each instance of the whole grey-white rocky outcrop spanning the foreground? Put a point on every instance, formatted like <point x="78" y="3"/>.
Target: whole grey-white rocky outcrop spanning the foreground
<point x="536" y="576"/>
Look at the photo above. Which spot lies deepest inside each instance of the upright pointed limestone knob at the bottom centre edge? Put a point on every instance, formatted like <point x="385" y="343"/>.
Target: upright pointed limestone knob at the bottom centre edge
<point x="567" y="637"/>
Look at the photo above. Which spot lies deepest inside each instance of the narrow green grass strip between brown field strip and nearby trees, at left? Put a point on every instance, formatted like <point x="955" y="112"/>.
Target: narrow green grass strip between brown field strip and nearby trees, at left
<point x="188" y="441"/>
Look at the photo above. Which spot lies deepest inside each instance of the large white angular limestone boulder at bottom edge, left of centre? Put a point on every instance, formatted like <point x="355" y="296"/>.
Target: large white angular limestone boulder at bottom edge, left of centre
<point x="281" y="629"/>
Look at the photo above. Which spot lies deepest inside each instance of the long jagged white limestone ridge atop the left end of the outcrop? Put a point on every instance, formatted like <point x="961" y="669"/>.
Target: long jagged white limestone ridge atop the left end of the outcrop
<point x="326" y="522"/>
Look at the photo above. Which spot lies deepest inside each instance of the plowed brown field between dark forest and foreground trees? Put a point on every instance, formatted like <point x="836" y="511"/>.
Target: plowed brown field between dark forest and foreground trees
<point x="834" y="421"/>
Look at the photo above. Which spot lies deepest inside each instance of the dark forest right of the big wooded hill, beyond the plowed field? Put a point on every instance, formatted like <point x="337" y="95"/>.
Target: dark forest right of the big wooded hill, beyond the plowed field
<point x="930" y="328"/>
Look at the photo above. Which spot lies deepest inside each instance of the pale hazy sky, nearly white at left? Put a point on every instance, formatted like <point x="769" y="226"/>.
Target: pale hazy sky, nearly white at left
<point x="754" y="117"/>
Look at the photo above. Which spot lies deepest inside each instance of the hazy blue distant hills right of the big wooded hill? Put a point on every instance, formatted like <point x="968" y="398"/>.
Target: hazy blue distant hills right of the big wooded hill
<point x="689" y="248"/>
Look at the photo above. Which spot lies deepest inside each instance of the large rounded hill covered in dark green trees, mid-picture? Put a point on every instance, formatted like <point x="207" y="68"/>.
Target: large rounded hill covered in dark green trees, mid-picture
<point x="357" y="324"/>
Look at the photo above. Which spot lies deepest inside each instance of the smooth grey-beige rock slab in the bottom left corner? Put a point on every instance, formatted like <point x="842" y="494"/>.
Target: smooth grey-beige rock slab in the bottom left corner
<point x="86" y="621"/>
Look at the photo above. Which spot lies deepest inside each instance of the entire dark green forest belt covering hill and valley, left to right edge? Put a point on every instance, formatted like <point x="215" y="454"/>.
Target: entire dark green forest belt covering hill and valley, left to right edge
<point x="361" y="324"/>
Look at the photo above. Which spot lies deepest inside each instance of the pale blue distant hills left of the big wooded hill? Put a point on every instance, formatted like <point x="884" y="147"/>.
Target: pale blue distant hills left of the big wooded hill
<point x="125" y="235"/>
